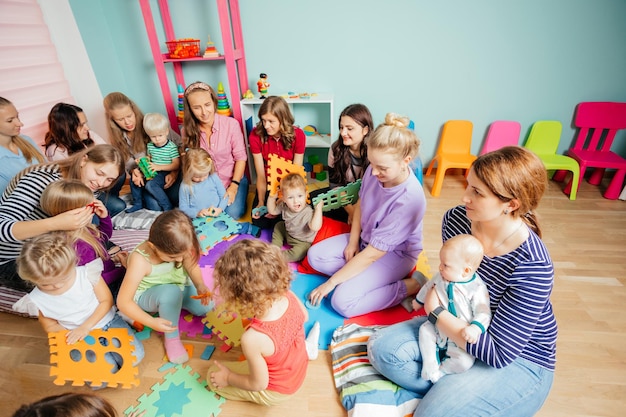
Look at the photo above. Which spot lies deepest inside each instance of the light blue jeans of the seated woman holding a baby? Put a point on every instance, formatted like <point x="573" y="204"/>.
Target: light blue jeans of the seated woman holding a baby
<point x="518" y="389"/>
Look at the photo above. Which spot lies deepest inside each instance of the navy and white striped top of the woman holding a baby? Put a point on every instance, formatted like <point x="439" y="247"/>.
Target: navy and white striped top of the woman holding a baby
<point x="520" y="284"/>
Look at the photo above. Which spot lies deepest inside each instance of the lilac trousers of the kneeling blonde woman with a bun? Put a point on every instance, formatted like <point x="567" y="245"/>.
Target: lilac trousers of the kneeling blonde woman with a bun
<point x="378" y="287"/>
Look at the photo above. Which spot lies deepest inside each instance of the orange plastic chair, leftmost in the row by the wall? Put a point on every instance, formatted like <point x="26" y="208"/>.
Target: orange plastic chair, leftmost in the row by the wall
<point x="453" y="152"/>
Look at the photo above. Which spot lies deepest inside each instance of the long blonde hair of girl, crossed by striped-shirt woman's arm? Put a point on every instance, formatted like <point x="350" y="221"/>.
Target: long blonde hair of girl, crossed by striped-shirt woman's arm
<point x="65" y="195"/>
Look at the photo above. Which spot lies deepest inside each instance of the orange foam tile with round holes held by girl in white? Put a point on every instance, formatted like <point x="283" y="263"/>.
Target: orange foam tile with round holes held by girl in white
<point x="85" y="362"/>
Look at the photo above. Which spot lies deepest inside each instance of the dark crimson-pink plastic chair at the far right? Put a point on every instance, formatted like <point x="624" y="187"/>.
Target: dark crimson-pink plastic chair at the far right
<point x="595" y="121"/>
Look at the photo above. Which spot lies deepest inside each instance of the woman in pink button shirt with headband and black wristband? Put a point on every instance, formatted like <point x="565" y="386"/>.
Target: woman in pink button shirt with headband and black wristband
<point x="222" y="138"/>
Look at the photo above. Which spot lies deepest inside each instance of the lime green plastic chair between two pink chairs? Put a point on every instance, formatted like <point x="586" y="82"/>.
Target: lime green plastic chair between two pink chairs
<point x="543" y="140"/>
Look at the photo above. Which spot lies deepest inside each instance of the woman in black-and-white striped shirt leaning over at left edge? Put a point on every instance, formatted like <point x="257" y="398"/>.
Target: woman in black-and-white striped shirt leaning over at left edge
<point x="21" y="215"/>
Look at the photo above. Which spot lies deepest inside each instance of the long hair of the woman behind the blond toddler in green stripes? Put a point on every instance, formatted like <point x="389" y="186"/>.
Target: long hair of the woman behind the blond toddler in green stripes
<point x="139" y="138"/>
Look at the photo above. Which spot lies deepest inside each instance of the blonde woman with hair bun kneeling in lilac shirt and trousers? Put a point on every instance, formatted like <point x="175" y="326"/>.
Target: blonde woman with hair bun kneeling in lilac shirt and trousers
<point x="368" y="267"/>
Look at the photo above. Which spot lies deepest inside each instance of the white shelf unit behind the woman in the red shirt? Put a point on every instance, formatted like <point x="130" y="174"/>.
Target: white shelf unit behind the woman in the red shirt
<point x="318" y="111"/>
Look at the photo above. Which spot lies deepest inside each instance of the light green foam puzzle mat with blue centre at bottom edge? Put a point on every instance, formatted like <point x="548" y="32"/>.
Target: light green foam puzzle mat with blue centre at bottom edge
<point x="180" y="394"/>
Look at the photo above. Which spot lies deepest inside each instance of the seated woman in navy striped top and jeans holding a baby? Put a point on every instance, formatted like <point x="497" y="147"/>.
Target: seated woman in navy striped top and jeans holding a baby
<point x="516" y="357"/>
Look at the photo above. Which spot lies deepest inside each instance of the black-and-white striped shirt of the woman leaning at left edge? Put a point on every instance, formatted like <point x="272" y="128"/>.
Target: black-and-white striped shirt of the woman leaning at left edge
<point x="20" y="202"/>
